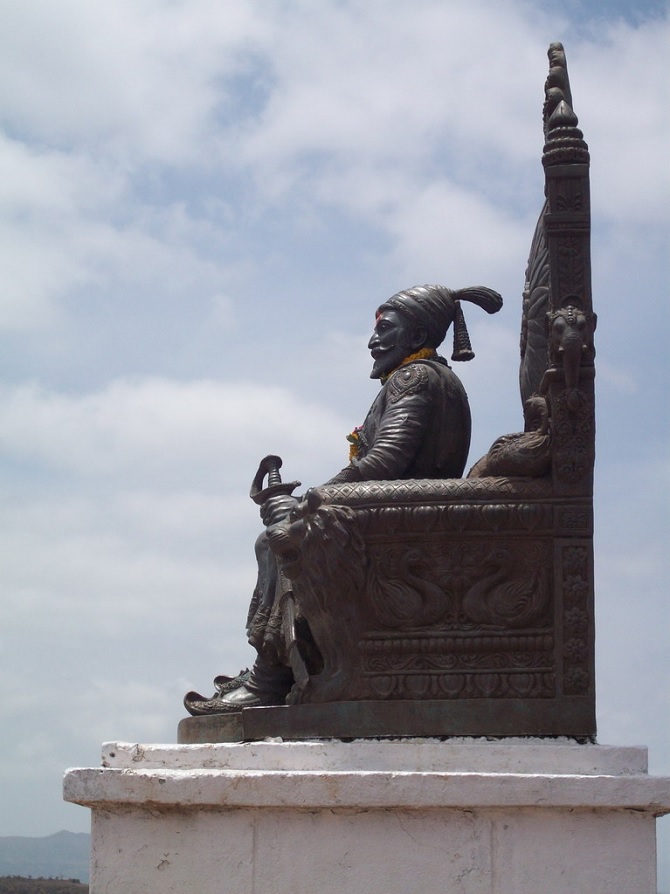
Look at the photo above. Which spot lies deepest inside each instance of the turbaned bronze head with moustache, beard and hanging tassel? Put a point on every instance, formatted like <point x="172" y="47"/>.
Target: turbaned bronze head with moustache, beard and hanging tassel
<point x="420" y="318"/>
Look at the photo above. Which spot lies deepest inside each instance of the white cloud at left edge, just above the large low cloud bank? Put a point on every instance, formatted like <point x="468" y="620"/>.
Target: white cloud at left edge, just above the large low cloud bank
<point x="68" y="224"/>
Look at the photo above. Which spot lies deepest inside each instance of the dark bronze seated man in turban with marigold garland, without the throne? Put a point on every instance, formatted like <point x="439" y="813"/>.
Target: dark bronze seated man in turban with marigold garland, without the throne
<point x="417" y="427"/>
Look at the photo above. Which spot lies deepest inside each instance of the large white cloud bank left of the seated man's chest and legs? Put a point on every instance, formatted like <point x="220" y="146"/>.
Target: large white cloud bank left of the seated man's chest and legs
<point x="127" y="548"/>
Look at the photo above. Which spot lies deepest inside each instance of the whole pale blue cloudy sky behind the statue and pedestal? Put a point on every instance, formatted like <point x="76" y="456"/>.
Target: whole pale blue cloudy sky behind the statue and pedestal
<point x="201" y="204"/>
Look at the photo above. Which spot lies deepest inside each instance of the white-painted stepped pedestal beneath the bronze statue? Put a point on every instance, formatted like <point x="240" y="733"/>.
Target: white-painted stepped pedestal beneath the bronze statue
<point x="377" y="817"/>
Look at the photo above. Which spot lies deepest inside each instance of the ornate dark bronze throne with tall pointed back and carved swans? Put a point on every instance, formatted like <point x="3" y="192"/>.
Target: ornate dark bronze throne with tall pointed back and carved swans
<point x="465" y="606"/>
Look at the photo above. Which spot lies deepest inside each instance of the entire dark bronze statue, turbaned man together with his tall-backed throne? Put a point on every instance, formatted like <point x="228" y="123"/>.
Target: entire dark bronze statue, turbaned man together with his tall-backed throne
<point x="400" y="598"/>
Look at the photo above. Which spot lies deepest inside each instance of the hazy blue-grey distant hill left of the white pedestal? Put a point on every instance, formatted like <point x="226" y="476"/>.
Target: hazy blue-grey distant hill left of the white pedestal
<point x="64" y="855"/>
